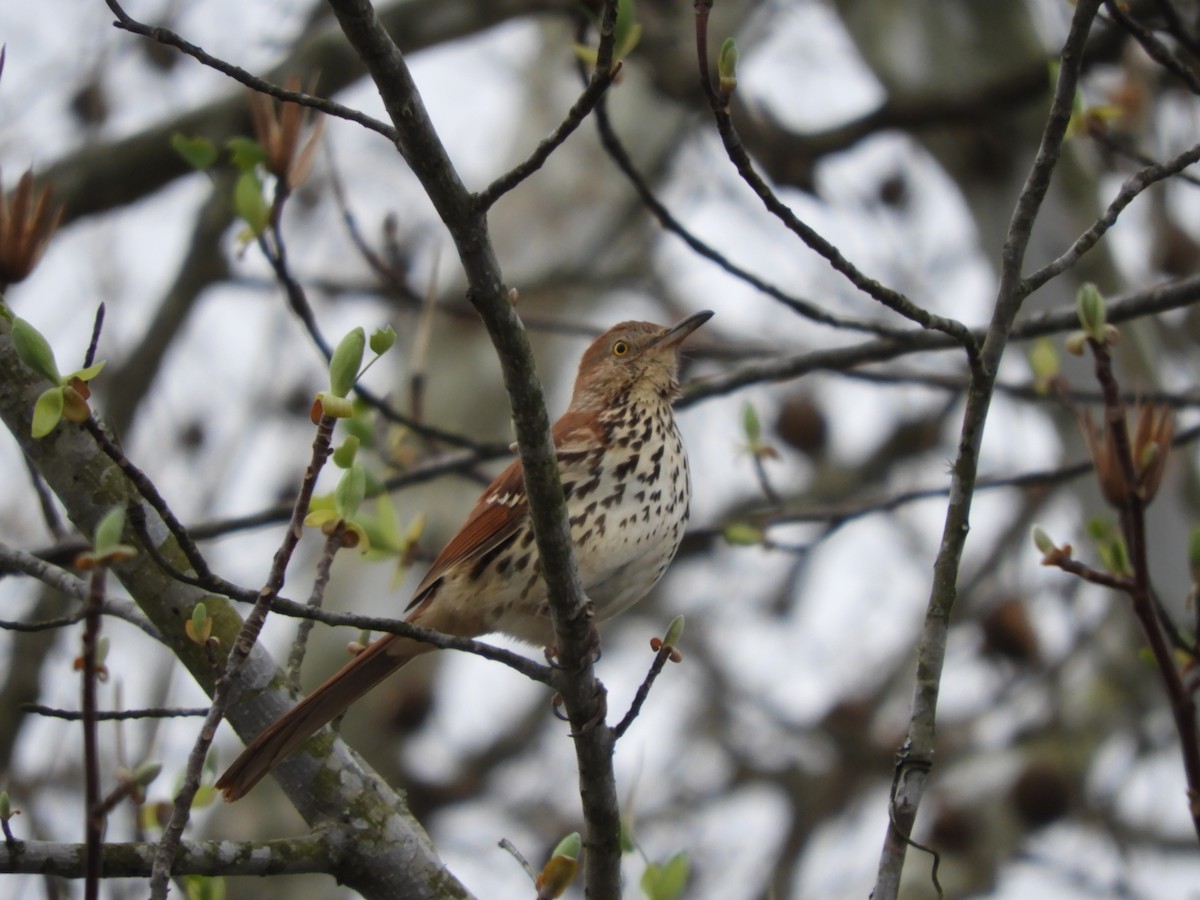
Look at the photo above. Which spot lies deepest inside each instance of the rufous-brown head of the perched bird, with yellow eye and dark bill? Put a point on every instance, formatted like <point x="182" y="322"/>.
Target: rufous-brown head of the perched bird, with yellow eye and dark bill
<point x="632" y="359"/>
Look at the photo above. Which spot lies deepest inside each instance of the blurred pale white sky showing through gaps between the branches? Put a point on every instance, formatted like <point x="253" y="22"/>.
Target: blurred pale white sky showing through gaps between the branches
<point x="800" y="667"/>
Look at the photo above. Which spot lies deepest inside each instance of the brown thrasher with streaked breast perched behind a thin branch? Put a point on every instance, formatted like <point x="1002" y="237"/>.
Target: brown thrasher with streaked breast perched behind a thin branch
<point x="625" y="477"/>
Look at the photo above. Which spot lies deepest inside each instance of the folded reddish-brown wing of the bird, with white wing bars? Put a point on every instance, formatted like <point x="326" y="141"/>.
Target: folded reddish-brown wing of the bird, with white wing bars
<point x="503" y="507"/>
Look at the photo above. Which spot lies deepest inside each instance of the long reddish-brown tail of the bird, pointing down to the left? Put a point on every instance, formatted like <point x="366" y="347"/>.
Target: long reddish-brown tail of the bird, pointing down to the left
<point x="326" y="704"/>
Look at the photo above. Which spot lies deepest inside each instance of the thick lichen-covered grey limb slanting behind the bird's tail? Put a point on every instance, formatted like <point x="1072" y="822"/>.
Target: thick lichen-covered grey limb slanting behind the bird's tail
<point x="387" y="853"/>
